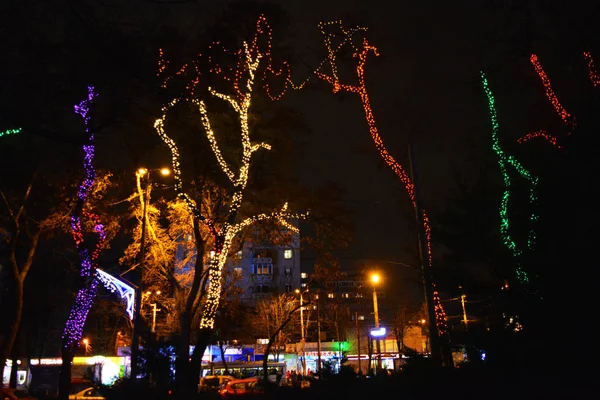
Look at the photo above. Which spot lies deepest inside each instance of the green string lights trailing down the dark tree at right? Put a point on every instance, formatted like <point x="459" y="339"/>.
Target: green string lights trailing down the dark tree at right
<point x="505" y="161"/>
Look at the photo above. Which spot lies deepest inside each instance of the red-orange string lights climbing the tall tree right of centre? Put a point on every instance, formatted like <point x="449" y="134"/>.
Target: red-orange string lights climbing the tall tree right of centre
<point x="361" y="89"/>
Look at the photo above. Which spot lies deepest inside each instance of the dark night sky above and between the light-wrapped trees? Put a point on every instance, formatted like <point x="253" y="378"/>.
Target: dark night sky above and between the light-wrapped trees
<point x="425" y="87"/>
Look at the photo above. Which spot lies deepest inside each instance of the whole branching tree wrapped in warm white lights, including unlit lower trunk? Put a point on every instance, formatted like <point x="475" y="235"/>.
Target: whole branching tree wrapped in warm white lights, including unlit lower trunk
<point x="235" y="166"/>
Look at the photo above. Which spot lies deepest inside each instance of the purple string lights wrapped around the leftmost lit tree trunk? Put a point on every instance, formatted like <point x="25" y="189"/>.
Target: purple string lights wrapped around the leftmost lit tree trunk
<point x="87" y="294"/>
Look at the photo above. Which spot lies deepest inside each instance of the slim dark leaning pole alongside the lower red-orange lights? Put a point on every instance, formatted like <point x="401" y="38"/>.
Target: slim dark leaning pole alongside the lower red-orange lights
<point x="434" y="338"/>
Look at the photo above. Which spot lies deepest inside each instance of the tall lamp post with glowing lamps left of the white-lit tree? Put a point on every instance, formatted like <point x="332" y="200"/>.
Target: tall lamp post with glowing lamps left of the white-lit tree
<point x="135" y="350"/>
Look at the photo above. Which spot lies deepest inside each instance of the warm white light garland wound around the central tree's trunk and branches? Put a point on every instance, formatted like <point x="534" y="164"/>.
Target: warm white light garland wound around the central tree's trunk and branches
<point x="249" y="60"/>
